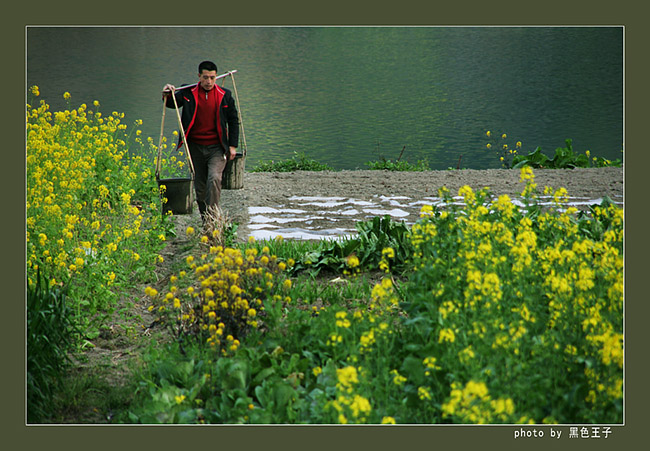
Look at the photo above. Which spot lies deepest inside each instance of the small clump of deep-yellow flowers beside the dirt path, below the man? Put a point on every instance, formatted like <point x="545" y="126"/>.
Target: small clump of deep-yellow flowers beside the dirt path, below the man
<point x="226" y="295"/>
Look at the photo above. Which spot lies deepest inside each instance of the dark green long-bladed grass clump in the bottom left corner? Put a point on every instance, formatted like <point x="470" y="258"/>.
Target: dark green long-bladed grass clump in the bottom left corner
<point x="49" y="339"/>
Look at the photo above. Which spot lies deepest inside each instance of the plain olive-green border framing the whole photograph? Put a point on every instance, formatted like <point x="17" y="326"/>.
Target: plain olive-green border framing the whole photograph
<point x="257" y="12"/>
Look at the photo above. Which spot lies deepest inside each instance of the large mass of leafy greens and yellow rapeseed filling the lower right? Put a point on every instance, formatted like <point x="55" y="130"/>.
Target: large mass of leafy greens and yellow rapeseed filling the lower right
<point x="504" y="316"/>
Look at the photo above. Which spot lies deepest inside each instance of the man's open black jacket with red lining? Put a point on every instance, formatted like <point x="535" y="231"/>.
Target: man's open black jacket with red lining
<point x="227" y="119"/>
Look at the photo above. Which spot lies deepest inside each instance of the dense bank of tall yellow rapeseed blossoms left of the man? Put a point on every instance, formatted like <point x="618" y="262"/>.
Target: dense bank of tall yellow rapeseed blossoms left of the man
<point x="91" y="203"/>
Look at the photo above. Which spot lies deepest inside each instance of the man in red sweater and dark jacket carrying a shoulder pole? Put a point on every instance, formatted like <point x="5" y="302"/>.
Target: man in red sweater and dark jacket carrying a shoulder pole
<point x="211" y="125"/>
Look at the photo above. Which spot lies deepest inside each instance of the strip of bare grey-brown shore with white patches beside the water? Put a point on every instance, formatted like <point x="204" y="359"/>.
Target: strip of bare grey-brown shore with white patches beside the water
<point x="329" y="203"/>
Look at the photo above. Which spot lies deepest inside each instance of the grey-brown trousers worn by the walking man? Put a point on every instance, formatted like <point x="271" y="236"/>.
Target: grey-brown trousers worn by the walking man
<point x="209" y="163"/>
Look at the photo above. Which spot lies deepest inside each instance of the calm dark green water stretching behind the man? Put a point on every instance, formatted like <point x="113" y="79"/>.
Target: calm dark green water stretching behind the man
<point x="347" y="95"/>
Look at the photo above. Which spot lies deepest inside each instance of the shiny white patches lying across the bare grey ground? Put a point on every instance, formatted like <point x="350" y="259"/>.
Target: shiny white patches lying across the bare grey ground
<point x="316" y="218"/>
